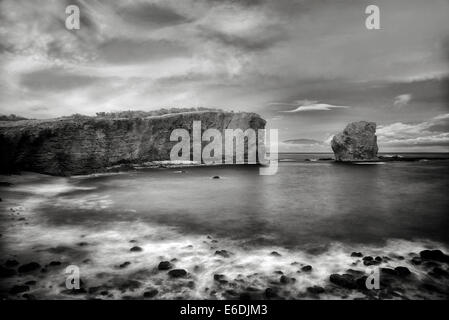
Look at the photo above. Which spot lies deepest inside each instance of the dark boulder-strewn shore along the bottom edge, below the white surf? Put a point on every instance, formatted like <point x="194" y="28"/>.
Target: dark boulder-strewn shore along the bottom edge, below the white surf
<point x="24" y="280"/>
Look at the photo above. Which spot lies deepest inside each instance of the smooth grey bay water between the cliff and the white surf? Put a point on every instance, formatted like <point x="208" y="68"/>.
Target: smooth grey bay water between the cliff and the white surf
<point x="304" y="204"/>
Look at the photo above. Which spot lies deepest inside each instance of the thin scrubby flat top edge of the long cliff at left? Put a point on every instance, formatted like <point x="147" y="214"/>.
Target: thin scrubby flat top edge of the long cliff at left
<point x="53" y="122"/>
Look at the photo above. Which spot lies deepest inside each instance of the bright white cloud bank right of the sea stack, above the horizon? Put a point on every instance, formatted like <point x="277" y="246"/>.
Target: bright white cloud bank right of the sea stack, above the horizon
<point x="434" y="132"/>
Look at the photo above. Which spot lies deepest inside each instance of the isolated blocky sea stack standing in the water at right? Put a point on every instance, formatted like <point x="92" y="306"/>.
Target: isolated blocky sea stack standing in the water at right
<point x="357" y="142"/>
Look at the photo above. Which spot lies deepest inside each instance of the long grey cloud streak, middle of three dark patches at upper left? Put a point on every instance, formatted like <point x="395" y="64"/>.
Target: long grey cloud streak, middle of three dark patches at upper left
<point x="125" y="50"/>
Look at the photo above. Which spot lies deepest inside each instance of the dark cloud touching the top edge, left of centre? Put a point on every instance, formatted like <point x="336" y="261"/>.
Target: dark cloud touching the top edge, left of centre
<point x="152" y="15"/>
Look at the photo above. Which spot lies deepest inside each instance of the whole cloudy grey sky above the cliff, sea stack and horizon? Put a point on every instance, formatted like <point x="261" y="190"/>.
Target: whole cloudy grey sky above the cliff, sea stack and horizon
<point x="308" y="67"/>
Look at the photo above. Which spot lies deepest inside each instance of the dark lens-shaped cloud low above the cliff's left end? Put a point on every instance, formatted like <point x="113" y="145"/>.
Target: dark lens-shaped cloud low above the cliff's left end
<point x="56" y="79"/>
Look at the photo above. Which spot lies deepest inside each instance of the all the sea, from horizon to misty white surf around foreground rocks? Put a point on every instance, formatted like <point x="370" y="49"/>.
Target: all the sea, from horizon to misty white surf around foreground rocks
<point x="310" y="213"/>
